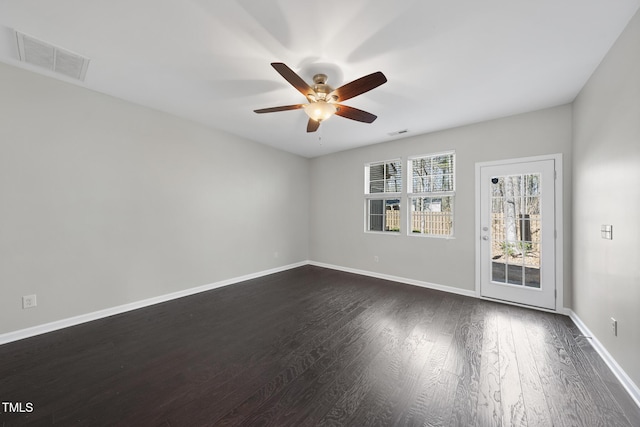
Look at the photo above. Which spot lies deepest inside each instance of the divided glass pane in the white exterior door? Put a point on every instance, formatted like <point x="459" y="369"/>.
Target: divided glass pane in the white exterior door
<point x="516" y="230"/>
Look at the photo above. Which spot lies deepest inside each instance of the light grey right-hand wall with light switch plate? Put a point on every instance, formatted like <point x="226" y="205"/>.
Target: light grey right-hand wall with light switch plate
<point x="607" y="191"/>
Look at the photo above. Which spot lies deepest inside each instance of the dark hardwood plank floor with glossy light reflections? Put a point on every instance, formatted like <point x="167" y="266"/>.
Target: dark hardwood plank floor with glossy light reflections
<point x="315" y="347"/>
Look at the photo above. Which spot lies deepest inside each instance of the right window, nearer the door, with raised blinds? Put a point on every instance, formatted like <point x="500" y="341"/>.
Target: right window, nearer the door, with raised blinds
<point x="431" y="193"/>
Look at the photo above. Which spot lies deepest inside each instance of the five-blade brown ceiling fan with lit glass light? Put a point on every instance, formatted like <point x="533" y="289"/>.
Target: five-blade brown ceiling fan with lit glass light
<point x="323" y="99"/>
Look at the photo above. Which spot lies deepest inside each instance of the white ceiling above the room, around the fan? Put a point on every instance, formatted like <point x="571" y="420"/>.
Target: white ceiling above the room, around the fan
<point x="448" y="62"/>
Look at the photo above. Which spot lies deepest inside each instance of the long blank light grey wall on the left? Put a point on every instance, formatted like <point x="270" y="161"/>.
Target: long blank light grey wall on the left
<point x="103" y="202"/>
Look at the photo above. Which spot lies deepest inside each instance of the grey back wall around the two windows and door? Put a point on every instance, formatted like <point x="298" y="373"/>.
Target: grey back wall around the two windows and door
<point x="337" y="203"/>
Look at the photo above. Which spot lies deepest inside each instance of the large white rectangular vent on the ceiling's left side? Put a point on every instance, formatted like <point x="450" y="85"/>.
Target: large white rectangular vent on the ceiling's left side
<point x="45" y="55"/>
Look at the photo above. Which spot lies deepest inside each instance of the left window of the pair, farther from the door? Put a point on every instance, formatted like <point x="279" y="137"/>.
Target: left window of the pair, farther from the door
<point x="383" y="188"/>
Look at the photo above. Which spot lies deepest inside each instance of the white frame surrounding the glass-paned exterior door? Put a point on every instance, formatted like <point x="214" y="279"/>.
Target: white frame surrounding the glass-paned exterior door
<point x="559" y="227"/>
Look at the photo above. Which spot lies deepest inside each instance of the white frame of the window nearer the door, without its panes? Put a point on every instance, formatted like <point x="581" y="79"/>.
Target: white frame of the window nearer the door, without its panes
<point x="411" y="195"/>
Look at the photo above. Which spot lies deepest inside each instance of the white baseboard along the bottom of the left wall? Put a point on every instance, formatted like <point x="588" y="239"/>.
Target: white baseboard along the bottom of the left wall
<point x="88" y="317"/>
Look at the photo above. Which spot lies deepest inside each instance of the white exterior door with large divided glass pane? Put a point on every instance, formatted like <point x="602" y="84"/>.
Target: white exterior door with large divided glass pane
<point x="517" y="243"/>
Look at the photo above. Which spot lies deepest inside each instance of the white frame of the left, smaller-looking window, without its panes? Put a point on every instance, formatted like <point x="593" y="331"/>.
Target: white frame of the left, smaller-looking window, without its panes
<point x="385" y="196"/>
